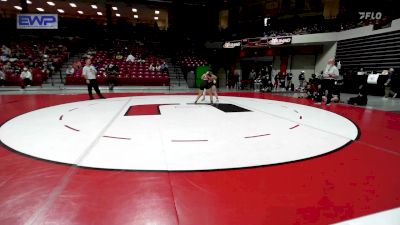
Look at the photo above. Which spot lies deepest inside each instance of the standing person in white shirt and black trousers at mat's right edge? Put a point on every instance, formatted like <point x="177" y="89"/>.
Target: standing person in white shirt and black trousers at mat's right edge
<point x="331" y="73"/>
